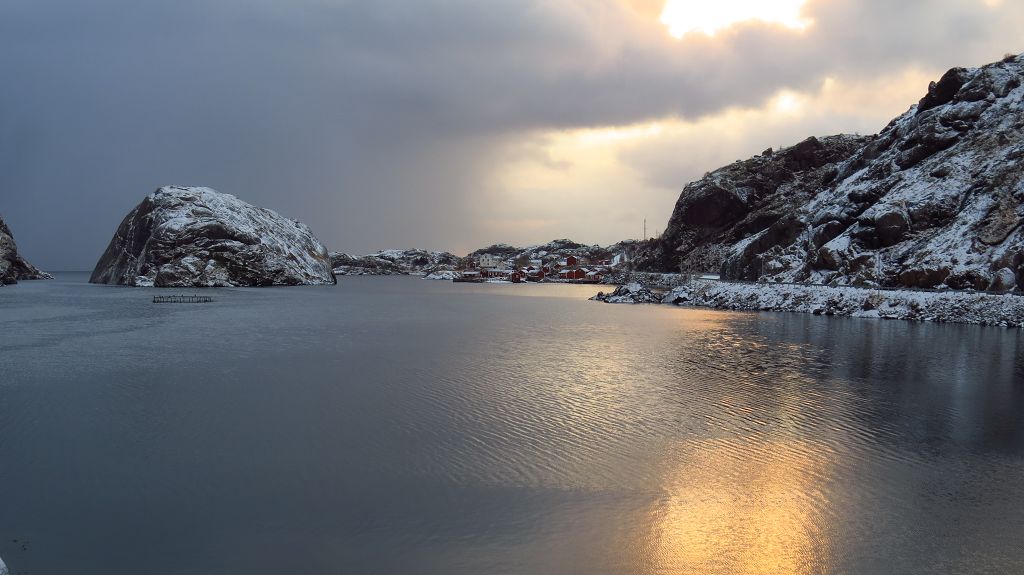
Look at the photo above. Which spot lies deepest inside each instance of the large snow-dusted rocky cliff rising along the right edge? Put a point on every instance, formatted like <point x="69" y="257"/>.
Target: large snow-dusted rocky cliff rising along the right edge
<point x="935" y="200"/>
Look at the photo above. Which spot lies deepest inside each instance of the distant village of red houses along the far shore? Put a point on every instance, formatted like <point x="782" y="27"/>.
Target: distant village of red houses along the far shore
<point x="571" y="270"/>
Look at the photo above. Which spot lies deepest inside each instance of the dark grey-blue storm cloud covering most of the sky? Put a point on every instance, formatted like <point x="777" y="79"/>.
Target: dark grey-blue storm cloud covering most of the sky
<point x="377" y="123"/>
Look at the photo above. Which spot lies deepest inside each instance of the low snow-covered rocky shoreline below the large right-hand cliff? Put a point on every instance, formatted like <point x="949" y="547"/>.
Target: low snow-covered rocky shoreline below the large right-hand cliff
<point x="1006" y="311"/>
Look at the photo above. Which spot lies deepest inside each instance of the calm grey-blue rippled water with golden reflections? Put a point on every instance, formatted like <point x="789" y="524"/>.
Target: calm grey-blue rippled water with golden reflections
<point x="402" y="426"/>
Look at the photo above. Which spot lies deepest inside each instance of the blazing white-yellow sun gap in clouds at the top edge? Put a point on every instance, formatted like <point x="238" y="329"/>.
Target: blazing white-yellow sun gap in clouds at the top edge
<point x="688" y="17"/>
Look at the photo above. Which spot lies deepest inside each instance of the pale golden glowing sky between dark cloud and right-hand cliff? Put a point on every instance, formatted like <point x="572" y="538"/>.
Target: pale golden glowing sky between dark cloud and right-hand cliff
<point x="561" y="183"/>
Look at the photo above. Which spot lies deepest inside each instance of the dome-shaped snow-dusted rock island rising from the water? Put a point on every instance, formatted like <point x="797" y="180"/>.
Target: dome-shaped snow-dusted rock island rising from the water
<point x="196" y="237"/>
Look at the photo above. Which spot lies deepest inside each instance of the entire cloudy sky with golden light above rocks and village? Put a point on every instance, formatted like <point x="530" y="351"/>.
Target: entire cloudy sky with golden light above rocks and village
<point x="442" y="124"/>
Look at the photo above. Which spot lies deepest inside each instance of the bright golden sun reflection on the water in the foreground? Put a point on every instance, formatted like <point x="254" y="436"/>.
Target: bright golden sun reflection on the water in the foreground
<point x="756" y="510"/>
